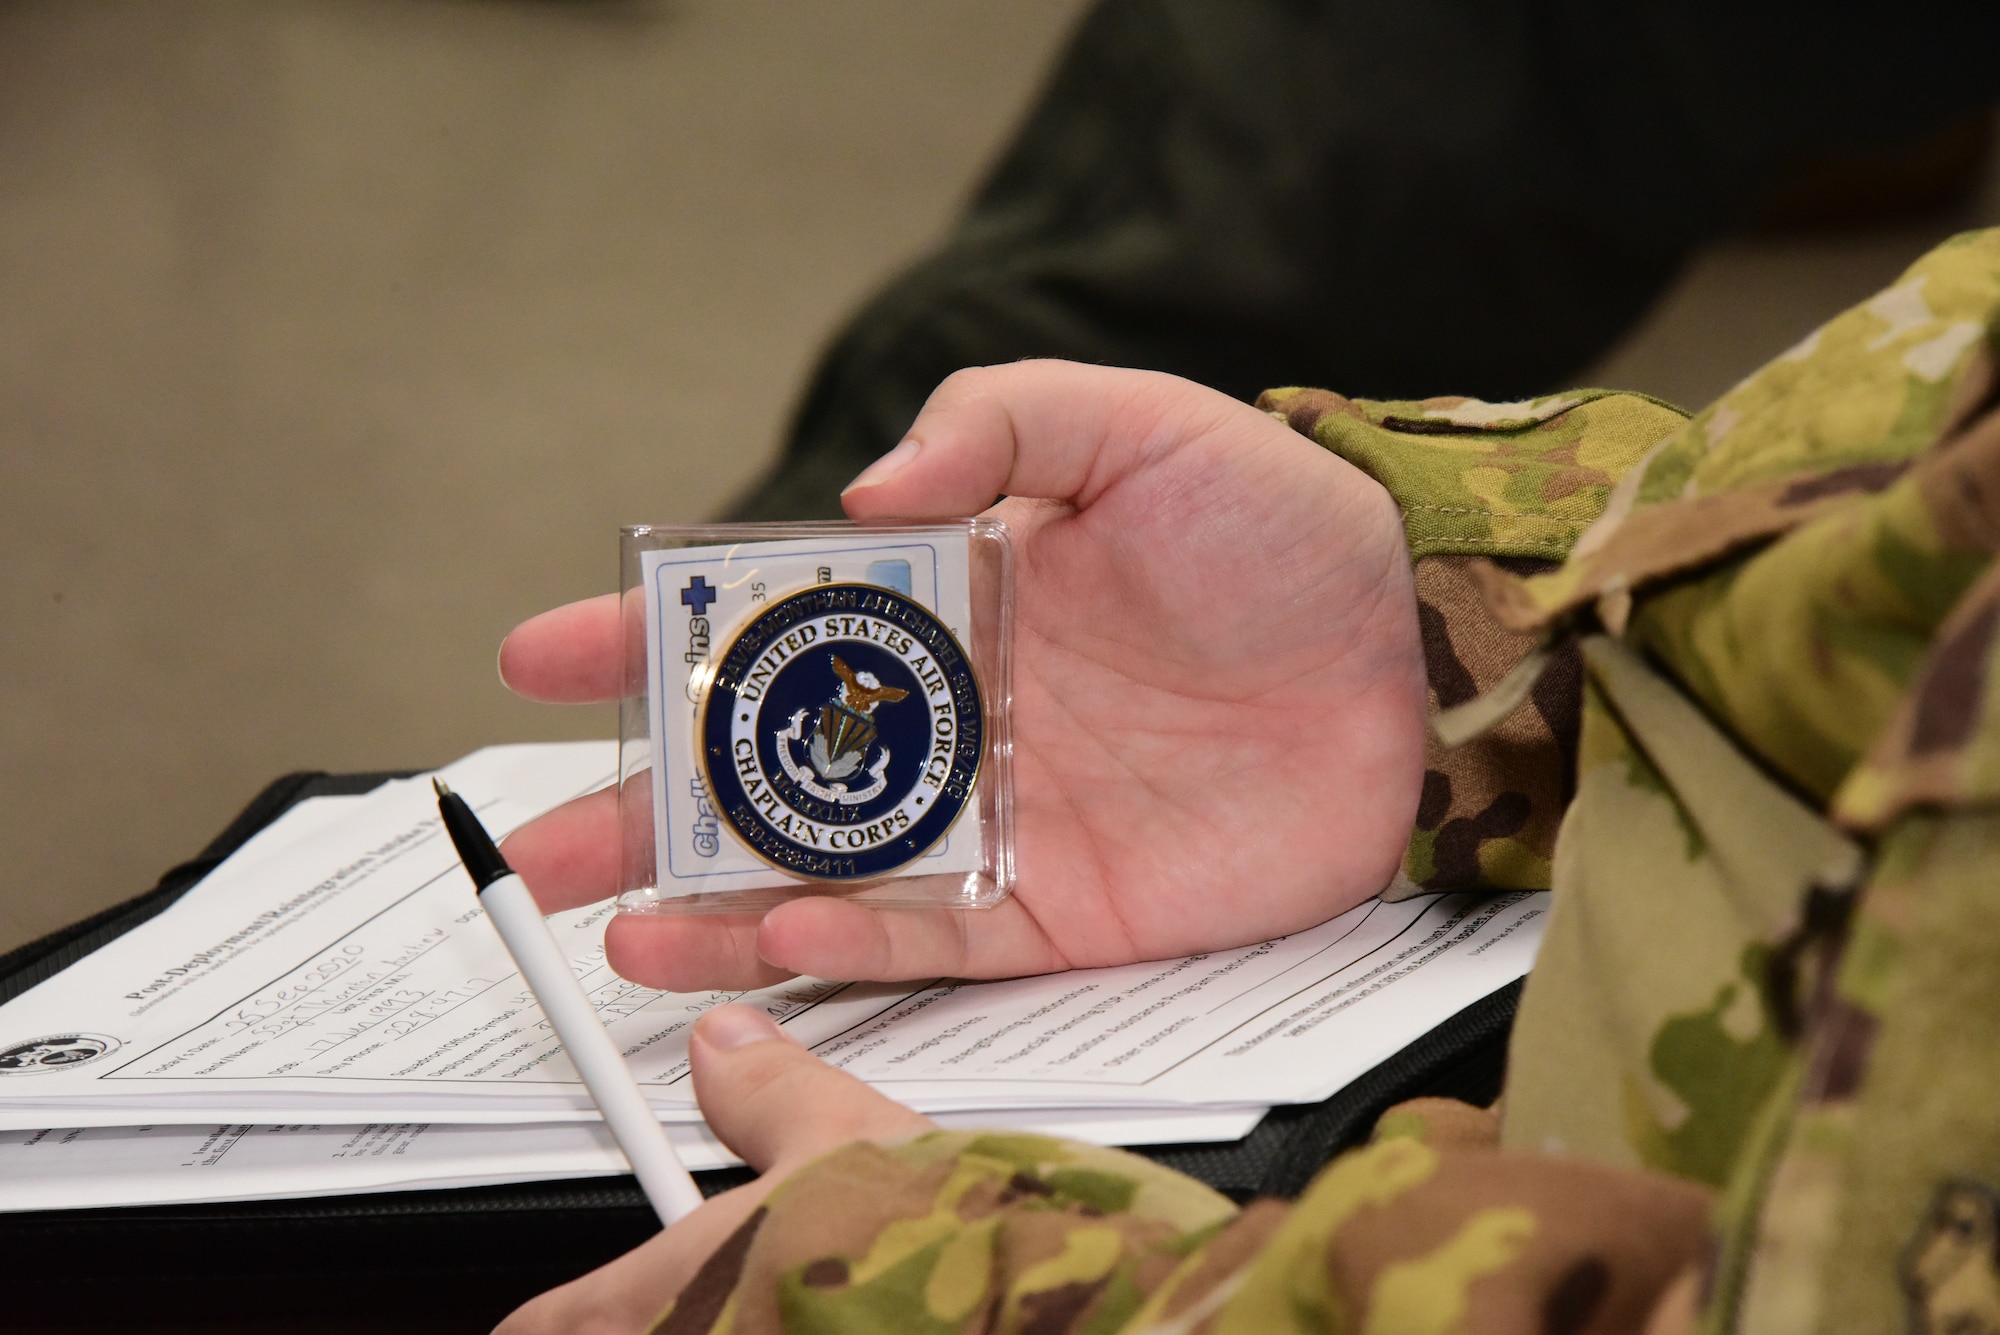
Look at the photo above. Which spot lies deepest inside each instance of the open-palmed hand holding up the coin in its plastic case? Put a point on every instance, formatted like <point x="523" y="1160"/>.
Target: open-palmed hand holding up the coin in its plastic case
<point x="1219" y="692"/>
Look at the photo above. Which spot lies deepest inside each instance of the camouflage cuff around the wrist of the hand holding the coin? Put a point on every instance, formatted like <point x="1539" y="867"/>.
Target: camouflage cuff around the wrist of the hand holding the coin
<point x="1513" y="485"/>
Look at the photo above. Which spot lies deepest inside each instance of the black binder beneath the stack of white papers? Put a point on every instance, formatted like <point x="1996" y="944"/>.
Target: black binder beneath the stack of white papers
<point x="461" y="1260"/>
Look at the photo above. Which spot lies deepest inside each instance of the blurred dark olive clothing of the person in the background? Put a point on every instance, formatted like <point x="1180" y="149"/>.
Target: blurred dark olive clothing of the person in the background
<point x="1377" y="197"/>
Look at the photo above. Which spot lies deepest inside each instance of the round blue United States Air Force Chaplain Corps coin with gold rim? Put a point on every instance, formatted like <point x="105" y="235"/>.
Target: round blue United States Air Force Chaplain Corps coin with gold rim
<point x="843" y="732"/>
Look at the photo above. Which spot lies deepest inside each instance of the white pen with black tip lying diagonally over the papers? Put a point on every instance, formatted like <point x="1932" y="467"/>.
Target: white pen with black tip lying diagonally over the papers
<point x="609" y="1080"/>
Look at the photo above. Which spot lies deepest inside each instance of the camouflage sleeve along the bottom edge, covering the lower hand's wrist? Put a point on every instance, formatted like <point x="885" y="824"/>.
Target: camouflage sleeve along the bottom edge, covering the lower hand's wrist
<point x="1427" y="1230"/>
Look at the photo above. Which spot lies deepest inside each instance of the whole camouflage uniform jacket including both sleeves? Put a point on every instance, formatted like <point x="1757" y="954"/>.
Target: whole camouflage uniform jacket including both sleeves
<point x="1731" y="690"/>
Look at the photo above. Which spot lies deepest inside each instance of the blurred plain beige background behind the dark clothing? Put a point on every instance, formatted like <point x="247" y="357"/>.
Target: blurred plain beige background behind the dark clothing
<point x="341" y="335"/>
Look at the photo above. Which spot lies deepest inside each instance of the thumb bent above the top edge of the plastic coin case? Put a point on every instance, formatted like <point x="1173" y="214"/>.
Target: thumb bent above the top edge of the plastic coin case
<point x="1047" y="431"/>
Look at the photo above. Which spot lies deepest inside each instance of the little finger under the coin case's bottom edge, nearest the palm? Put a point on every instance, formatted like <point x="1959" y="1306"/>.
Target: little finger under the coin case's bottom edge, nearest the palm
<point x="833" y="938"/>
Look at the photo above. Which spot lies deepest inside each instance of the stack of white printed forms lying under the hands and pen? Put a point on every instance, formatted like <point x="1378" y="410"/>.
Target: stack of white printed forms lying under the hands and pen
<point x="331" y="1012"/>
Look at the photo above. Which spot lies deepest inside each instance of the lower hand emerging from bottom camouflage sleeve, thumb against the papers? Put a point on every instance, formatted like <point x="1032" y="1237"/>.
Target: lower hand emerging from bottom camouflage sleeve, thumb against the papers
<point x="751" y="1080"/>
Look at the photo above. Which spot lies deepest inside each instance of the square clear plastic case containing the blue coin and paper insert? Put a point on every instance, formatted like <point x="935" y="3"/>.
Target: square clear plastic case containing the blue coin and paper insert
<point x="815" y="710"/>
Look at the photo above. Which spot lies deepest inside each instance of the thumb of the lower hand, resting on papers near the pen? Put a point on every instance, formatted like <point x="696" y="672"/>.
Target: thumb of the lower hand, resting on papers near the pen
<point x="777" y="1104"/>
